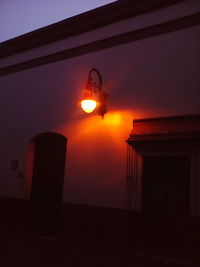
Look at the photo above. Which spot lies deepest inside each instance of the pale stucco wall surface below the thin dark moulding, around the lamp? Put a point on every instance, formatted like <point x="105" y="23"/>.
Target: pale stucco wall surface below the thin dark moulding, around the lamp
<point x="153" y="77"/>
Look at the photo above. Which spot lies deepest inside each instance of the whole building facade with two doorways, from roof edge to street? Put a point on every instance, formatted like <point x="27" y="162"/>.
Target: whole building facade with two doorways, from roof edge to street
<point x="147" y="53"/>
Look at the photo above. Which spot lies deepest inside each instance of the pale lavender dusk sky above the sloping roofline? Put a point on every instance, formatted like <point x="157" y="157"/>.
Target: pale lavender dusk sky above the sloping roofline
<point x="21" y="16"/>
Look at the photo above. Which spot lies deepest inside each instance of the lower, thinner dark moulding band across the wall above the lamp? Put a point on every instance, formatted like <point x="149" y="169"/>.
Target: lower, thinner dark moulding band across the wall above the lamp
<point x="147" y="32"/>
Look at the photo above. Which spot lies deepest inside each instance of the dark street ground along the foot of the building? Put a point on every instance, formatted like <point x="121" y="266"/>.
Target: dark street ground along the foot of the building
<point x="24" y="250"/>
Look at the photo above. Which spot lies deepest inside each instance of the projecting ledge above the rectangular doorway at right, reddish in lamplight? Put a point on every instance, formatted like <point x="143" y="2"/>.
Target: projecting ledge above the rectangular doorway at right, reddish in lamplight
<point x="166" y="128"/>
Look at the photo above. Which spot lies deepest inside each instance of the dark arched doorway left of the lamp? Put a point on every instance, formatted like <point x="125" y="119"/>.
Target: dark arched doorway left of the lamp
<point x="47" y="183"/>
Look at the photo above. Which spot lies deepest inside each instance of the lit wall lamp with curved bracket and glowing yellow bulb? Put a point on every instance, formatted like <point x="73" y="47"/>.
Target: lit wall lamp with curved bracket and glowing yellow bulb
<point x="94" y="97"/>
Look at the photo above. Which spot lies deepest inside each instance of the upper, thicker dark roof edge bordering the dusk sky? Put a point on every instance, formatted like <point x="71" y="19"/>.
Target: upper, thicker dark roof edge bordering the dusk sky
<point x="87" y="21"/>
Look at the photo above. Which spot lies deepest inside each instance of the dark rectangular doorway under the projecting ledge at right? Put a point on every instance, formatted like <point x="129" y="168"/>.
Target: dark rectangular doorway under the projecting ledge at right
<point x="166" y="196"/>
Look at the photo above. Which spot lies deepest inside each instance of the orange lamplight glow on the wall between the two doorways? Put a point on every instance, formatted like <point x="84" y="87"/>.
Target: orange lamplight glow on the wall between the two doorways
<point x="96" y="157"/>
